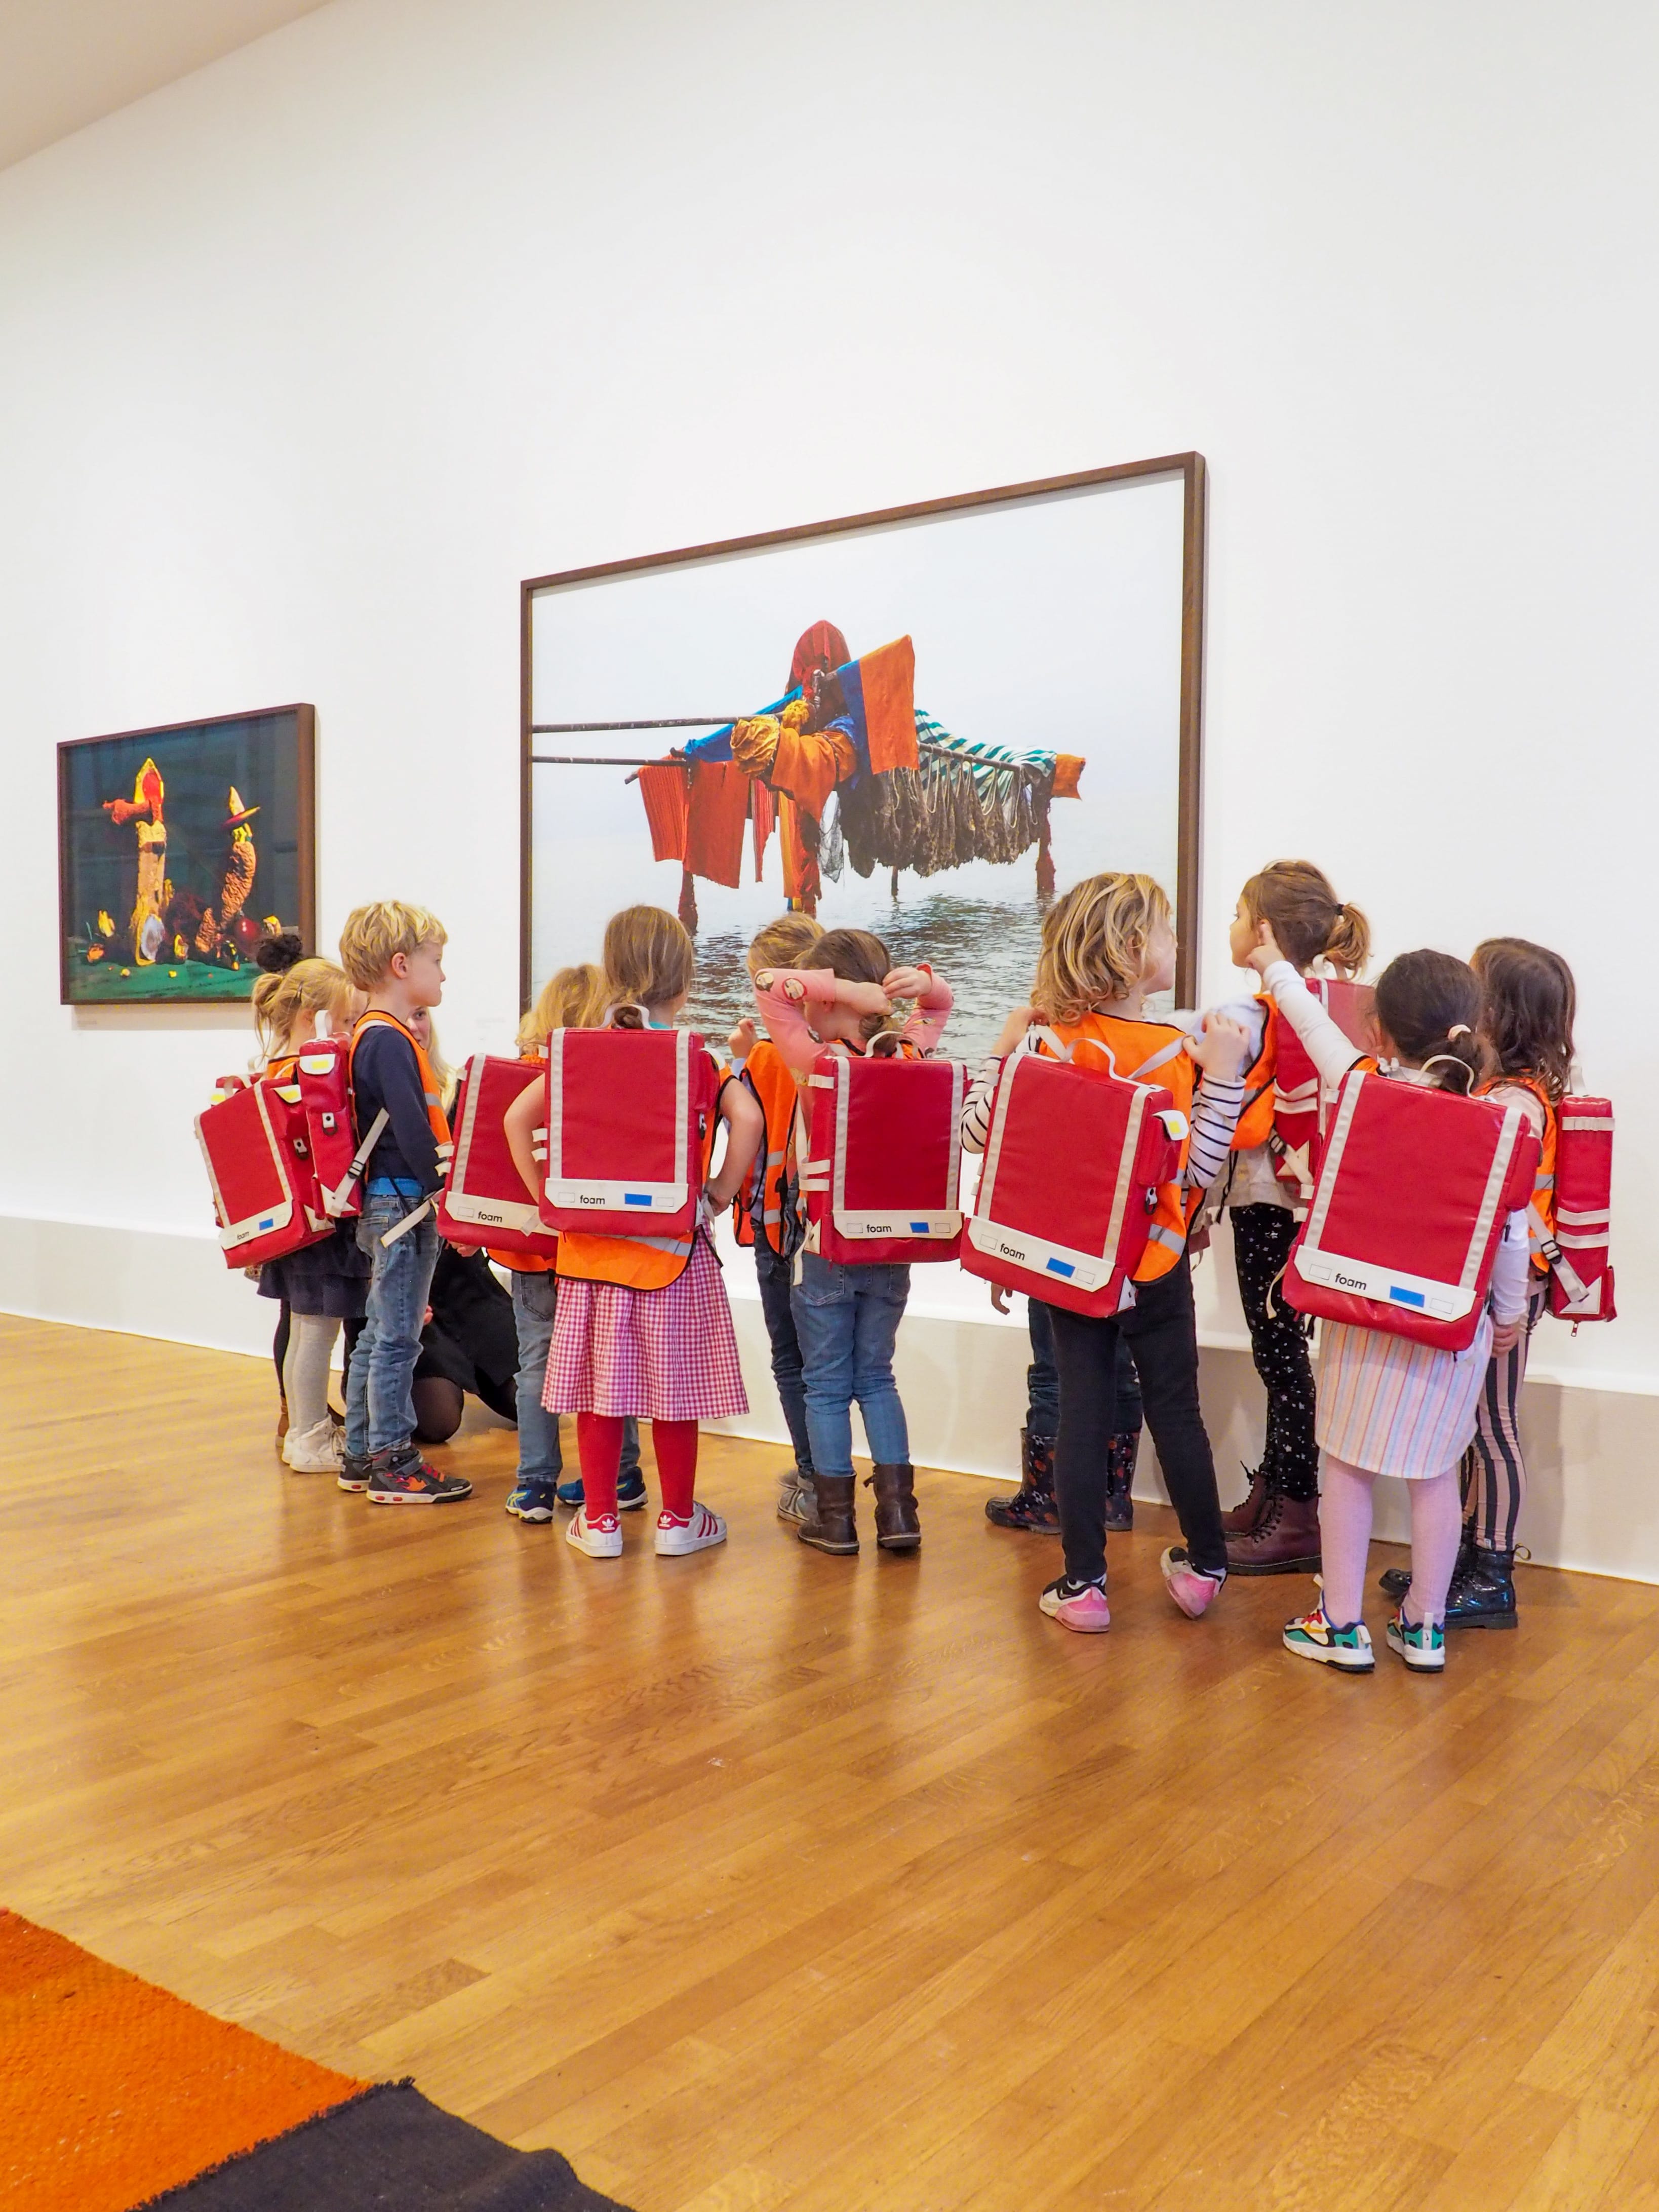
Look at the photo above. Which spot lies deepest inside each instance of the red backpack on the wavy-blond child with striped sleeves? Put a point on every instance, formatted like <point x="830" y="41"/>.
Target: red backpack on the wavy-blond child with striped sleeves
<point x="1070" y="1187"/>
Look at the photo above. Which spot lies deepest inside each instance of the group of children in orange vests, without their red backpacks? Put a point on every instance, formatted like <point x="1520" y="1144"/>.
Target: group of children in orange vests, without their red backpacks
<point x="616" y="1331"/>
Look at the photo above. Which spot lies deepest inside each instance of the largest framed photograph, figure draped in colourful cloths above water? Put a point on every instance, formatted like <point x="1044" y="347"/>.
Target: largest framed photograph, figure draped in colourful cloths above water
<point x="919" y="722"/>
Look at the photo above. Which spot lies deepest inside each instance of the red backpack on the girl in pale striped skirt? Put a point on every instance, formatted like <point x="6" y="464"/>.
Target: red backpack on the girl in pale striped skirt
<point x="1410" y="1204"/>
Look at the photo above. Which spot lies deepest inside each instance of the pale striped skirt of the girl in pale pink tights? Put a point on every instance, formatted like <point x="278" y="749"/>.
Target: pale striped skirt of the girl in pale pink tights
<point x="1399" y="1408"/>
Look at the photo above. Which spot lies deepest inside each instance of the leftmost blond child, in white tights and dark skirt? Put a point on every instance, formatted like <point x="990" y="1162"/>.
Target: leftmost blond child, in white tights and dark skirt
<point x="324" y="1284"/>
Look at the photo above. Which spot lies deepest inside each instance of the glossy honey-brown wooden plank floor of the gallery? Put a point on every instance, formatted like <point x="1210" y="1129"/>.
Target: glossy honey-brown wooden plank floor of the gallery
<point x="775" y="1881"/>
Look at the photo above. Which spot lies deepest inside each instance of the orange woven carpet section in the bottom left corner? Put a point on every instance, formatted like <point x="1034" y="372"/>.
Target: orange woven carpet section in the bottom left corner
<point x="114" y="2091"/>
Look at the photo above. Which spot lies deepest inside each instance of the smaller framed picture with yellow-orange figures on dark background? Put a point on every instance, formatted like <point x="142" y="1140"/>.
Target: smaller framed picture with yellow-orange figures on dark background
<point x="178" y="851"/>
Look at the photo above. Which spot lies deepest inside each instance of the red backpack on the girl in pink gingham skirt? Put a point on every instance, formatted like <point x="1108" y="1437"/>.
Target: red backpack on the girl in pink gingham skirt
<point x="627" y="1123"/>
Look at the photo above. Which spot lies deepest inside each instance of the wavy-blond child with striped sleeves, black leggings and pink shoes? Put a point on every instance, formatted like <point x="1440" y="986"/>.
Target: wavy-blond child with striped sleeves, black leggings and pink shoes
<point x="1107" y="948"/>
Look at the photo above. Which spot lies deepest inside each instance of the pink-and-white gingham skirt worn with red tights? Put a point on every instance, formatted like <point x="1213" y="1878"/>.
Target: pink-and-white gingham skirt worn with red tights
<point x="658" y="1355"/>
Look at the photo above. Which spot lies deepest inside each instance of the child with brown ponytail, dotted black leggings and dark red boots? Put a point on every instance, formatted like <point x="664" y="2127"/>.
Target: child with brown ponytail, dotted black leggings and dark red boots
<point x="1275" y="1532"/>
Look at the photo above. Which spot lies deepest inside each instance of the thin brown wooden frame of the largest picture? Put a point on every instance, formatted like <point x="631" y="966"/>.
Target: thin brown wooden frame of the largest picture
<point x="1191" y="468"/>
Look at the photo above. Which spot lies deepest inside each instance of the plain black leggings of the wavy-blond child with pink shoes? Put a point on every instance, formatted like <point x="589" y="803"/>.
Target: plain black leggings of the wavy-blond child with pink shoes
<point x="1165" y="1339"/>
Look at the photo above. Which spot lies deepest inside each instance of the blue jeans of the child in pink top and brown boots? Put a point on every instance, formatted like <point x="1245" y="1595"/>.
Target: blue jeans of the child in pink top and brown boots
<point x="848" y="1324"/>
